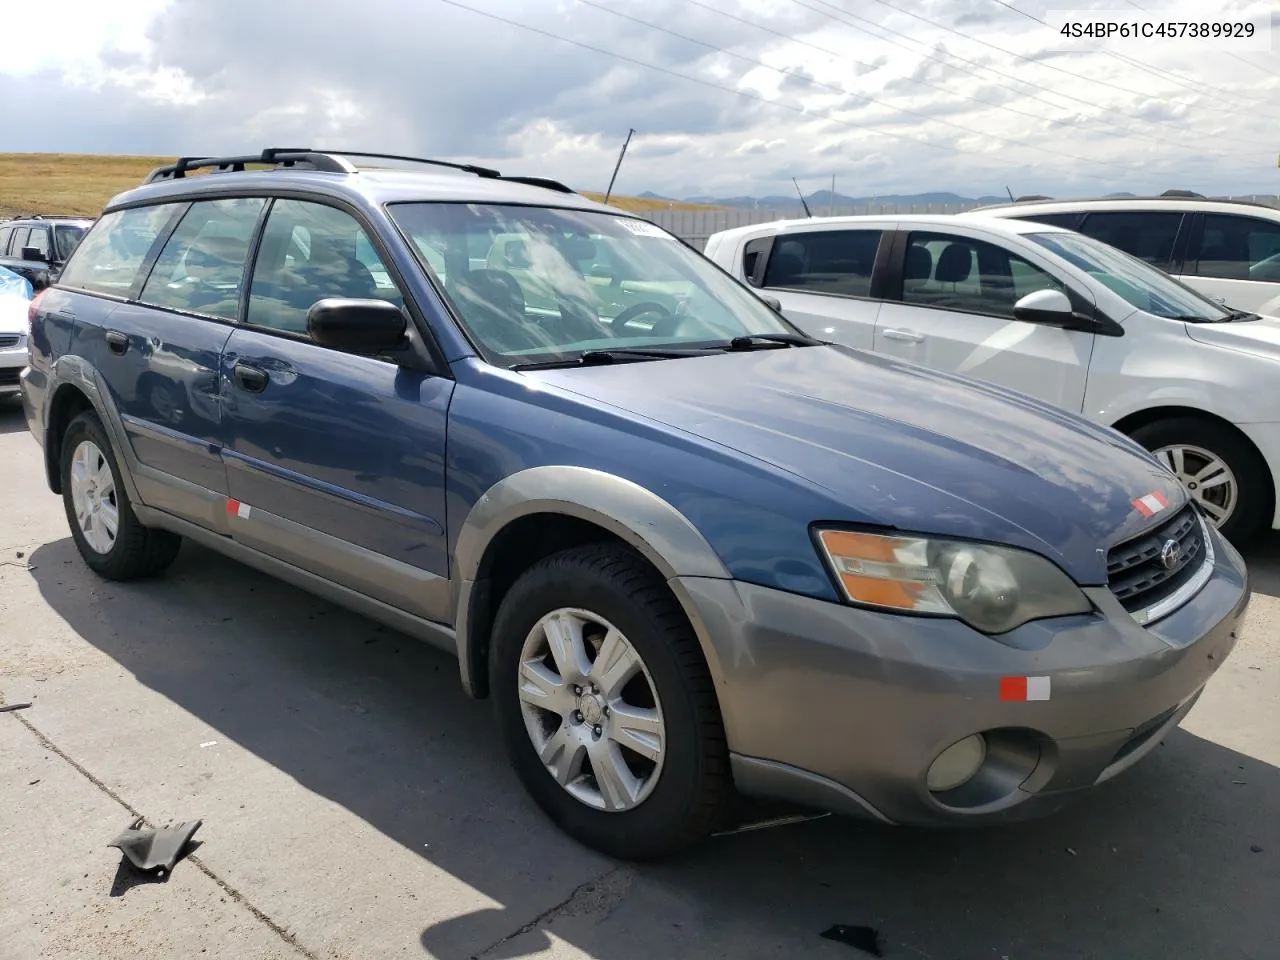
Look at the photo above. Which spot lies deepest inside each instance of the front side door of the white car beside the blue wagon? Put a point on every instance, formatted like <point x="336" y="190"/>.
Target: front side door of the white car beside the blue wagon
<point x="953" y="310"/>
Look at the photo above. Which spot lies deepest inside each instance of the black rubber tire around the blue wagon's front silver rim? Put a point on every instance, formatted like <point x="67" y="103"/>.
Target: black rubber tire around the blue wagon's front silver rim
<point x="688" y="790"/>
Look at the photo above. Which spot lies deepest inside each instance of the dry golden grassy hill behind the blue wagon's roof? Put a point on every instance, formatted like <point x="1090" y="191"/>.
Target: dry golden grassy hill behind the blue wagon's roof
<point x="83" y="184"/>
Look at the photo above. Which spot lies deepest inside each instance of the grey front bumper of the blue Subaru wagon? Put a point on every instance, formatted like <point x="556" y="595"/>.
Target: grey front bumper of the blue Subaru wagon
<point x="845" y="710"/>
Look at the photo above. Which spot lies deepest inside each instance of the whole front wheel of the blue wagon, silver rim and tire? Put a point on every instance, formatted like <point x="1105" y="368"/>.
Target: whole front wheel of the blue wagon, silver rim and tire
<point x="607" y="707"/>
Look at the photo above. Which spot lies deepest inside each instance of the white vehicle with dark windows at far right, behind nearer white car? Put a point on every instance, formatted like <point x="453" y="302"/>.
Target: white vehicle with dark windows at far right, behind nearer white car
<point x="1226" y="249"/>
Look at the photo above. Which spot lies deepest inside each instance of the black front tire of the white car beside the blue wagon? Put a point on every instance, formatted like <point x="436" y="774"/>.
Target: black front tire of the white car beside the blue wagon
<point x="1254" y="488"/>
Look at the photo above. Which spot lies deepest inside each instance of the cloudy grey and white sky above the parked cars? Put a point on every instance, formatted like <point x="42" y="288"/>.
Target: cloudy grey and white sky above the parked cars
<point x="892" y="97"/>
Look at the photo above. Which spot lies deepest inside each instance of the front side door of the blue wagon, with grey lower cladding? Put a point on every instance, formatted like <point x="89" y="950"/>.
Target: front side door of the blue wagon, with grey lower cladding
<point x="336" y="461"/>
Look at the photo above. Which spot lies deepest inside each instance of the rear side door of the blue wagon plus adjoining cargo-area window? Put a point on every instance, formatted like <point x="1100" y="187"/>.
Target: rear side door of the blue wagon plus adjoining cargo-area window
<point x="159" y="353"/>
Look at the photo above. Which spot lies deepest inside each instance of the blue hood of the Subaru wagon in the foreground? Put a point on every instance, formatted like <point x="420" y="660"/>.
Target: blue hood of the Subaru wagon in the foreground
<point x="903" y="446"/>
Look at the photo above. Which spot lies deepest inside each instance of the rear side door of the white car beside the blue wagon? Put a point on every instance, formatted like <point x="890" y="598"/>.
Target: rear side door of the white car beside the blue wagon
<point x="826" y="278"/>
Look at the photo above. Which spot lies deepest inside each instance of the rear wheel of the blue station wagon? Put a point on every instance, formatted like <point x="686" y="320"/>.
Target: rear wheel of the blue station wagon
<point x="134" y="551"/>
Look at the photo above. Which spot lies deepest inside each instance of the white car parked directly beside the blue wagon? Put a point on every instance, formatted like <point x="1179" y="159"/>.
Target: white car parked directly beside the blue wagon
<point x="1050" y="313"/>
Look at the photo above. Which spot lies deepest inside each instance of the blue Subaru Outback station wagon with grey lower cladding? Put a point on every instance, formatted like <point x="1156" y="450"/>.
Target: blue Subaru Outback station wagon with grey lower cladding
<point x="688" y="551"/>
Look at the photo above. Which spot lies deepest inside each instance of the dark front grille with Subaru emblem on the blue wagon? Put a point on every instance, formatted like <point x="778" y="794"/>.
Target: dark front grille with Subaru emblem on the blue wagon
<point x="1154" y="566"/>
